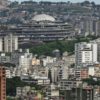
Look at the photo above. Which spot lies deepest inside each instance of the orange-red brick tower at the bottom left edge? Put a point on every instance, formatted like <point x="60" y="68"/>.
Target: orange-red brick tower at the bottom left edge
<point x="2" y="84"/>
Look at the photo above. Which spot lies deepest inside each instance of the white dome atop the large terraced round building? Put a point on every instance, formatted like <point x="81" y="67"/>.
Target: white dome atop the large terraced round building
<point x="43" y="17"/>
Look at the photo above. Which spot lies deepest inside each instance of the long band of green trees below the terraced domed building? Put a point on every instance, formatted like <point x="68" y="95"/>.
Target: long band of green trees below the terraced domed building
<point x="65" y="45"/>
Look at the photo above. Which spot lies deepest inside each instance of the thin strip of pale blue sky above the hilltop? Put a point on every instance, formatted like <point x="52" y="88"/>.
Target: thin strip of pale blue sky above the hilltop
<point x="96" y="1"/>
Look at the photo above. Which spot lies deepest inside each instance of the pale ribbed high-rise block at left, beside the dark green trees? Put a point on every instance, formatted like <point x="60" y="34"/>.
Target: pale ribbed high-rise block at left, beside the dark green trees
<point x="10" y="43"/>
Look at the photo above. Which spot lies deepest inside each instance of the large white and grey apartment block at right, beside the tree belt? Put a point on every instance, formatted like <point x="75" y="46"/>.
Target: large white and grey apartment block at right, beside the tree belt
<point x="85" y="53"/>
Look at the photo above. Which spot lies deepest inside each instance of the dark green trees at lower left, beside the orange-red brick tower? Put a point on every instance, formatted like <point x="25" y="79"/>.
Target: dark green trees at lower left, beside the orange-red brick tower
<point x="17" y="82"/>
